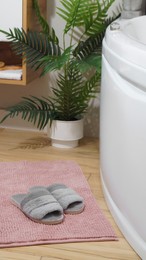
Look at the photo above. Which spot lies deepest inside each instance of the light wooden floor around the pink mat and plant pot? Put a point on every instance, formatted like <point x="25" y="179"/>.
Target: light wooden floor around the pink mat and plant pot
<point x="19" y="145"/>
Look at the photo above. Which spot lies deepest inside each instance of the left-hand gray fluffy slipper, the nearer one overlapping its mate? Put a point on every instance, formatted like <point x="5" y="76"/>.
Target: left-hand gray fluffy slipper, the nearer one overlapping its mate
<point x="40" y="206"/>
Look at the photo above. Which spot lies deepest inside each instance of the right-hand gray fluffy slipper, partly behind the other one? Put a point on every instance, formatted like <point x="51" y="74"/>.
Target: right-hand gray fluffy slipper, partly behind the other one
<point x="70" y="201"/>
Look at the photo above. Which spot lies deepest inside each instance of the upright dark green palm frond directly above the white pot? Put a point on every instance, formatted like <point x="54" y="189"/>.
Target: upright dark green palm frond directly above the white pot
<point x="73" y="93"/>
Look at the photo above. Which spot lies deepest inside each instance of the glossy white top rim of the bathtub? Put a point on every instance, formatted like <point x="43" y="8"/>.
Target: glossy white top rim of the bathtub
<point x="121" y="44"/>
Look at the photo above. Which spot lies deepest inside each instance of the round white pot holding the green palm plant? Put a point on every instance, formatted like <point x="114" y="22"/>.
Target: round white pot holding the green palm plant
<point x="65" y="134"/>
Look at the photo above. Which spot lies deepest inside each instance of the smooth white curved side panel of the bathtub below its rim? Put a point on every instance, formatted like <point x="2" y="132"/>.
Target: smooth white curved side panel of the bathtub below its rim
<point x="123" y="146"/>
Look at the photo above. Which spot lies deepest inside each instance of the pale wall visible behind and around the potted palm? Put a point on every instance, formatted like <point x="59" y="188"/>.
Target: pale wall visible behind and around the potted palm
<point x="11" y="94"/>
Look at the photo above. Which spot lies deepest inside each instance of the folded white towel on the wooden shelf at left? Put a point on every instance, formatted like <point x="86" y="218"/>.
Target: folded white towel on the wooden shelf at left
<point x="11" y="74"/>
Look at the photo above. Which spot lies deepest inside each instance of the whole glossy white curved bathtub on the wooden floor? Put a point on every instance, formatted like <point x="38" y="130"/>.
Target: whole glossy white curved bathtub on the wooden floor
<point x="123" y="128"/>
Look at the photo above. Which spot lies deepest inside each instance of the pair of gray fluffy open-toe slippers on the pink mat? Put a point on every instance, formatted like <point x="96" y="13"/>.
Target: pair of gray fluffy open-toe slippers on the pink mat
<point x="47" y="205"/>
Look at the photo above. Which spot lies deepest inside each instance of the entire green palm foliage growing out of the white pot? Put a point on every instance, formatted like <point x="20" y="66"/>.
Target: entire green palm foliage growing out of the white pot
<point x="78" y="63"/>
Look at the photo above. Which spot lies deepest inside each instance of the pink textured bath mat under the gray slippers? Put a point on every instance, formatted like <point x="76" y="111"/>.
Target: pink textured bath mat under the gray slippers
<point x="17" y="230"/>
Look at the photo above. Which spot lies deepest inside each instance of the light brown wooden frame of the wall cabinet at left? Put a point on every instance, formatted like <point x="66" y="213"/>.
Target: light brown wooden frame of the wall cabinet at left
<point x="29" y="21"/>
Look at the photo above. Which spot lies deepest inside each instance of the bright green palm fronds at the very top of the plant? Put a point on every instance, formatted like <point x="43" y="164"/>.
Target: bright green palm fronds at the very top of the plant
<point x="87" y="13"/>
